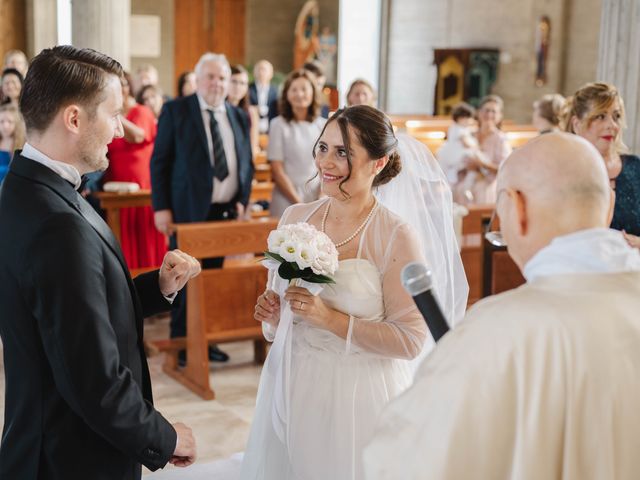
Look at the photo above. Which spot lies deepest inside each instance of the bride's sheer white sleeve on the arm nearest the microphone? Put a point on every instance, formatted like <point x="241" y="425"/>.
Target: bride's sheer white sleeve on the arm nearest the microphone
<point x="390" y="245"/>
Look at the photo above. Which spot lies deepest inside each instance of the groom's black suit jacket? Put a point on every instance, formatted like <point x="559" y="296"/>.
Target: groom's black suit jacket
<point x="78" y="395"/>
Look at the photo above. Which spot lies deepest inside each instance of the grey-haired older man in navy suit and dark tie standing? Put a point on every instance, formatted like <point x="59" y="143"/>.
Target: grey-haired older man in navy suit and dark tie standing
<point x="202" y="165"/>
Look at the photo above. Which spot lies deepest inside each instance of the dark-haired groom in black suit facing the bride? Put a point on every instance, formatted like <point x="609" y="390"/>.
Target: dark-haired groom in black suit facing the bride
<point x="78" y="393"/>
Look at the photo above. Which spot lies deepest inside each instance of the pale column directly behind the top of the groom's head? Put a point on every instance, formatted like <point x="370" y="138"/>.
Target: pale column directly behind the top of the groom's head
<point x="102" y="25"/>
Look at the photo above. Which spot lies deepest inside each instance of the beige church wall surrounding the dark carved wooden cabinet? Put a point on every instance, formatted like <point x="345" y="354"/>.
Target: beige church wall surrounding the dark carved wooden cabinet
<point x="418" y="26"/>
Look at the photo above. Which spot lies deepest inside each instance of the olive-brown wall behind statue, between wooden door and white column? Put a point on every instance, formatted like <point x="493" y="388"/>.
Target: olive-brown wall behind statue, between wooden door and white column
<point x="270" y="25"/>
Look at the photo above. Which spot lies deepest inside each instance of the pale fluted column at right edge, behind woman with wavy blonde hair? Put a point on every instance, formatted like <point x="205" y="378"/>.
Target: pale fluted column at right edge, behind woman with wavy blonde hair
<point x="619" y="60"/>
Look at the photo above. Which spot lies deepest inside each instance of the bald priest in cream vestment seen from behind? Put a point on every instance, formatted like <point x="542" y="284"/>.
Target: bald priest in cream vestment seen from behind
<point x="541" y="381"/>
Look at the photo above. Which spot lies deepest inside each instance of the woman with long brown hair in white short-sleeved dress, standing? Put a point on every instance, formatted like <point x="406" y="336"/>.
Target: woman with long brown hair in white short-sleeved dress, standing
<point x="291" y="139"/>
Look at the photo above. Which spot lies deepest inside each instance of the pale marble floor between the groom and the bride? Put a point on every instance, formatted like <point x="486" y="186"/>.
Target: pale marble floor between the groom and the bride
<point x="220" y="426"/>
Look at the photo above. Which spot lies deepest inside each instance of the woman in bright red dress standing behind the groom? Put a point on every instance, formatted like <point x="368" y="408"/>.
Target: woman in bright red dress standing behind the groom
<point x="129" y="156"/>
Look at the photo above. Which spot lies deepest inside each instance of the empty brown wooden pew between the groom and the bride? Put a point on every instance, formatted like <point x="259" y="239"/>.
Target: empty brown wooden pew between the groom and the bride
<point x="220" y="302"/>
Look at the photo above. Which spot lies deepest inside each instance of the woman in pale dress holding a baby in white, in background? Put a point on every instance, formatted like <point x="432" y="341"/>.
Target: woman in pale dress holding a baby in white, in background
<point x="494" y="149"/>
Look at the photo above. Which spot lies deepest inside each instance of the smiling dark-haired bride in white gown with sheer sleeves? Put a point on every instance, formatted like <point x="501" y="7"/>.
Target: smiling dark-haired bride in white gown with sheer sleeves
<point x="347" y="351"/>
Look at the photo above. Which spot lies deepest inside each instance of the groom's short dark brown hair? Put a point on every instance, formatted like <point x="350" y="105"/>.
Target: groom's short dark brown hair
<point x="60" y="76"/>
